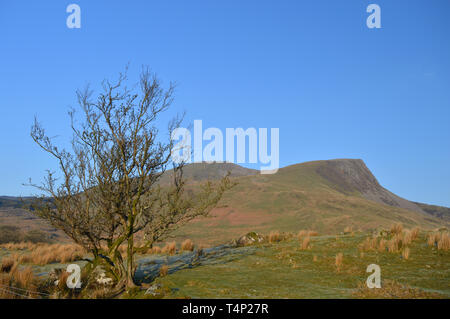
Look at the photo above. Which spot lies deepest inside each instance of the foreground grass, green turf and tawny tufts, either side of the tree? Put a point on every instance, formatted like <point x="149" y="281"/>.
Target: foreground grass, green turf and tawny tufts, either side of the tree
<point x="329" y="267"/>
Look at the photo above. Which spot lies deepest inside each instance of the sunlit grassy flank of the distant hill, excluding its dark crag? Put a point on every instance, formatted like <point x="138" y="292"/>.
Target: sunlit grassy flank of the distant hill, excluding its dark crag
<point x="295" y="198"/>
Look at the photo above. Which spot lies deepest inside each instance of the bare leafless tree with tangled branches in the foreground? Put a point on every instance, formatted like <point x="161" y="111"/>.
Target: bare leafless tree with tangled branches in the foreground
<point x="109" y="186"/>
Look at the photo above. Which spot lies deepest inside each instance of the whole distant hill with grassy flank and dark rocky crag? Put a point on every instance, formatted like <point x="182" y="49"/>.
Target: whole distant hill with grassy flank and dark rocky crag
<point x="323" y="195"/>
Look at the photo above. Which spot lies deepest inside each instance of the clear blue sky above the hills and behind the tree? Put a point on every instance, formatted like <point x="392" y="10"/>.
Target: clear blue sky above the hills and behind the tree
<point x="335" y="88"/>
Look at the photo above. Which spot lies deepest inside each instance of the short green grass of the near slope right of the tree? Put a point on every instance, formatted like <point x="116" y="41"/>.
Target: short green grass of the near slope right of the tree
<point x="282" y="270"/>
